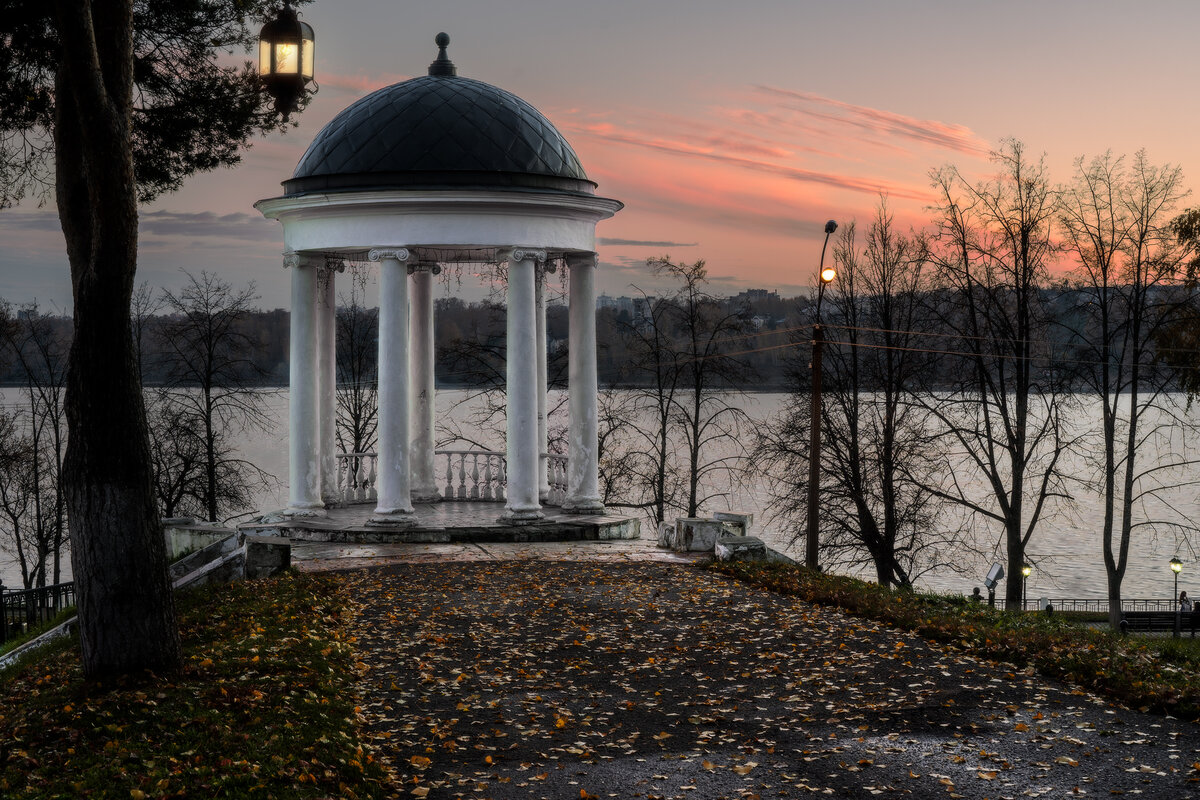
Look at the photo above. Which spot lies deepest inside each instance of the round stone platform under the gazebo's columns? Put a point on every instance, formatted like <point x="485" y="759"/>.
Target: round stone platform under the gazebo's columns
<point x="448" y="522"/>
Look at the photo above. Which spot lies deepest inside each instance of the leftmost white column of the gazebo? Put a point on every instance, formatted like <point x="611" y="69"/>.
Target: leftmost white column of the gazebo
<point x="304" y="428"/>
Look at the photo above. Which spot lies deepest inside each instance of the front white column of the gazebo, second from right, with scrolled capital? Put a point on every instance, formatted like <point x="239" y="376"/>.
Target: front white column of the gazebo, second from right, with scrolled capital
<point x="523" y="387"/>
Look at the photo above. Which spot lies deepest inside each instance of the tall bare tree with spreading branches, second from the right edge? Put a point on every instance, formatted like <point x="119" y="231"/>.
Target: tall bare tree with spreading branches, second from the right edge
<point x="1004" y="417"/>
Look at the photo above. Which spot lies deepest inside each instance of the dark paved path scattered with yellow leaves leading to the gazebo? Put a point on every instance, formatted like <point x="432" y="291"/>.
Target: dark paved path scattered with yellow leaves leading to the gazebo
<point x="563" y="681"/>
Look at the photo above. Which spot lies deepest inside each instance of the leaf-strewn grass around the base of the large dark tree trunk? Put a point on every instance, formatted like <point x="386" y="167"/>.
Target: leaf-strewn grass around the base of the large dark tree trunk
<point x="263" y="708"/>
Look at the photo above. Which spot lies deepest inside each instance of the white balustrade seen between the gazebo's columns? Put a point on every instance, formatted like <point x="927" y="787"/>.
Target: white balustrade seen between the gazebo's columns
<point x="478" y="476"/>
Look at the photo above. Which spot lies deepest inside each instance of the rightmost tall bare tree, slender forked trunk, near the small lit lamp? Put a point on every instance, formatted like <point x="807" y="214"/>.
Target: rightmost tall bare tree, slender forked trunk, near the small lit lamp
<point x="1115" y="221"/>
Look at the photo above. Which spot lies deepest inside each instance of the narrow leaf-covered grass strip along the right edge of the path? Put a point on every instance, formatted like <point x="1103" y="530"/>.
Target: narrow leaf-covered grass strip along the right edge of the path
<point x="1150" y="675"/>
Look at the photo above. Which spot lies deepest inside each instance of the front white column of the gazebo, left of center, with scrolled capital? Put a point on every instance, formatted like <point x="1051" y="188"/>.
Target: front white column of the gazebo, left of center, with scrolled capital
<point x="395" y="506"/>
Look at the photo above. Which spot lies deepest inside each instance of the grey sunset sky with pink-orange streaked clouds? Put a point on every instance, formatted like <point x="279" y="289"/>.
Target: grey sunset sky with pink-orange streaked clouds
<point x="730" y="130"/>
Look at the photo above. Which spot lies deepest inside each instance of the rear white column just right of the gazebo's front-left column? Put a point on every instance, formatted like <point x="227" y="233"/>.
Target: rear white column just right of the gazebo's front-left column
<point x="425" y="488"/>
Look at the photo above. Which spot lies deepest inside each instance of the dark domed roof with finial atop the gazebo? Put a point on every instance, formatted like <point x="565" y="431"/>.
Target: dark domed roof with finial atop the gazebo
<point x="440" y="131"/>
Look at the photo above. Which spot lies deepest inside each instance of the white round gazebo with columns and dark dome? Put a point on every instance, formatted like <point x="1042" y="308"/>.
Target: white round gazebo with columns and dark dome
<point x="427" y="172"/>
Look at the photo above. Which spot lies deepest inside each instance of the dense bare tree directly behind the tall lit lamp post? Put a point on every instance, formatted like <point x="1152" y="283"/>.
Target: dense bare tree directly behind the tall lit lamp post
<point x="878" y="512"/>
